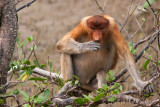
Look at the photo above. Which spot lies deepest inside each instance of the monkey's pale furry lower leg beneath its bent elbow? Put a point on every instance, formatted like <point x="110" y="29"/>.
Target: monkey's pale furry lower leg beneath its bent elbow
<point x="66" y="66"/>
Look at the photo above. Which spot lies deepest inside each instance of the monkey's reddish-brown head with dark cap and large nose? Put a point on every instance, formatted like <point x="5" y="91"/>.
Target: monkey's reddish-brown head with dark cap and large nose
<point x="98" y="26"/>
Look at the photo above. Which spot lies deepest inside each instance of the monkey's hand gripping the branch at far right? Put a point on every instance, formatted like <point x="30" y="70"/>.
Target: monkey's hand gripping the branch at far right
<point x="141" y="85"/>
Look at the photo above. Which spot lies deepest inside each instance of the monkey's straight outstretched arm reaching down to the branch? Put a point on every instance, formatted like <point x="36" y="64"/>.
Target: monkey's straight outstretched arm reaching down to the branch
<point x="125" y="53"/>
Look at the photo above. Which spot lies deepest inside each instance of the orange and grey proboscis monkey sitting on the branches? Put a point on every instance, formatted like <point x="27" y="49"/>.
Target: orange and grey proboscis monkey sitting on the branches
<point x="92" y="48"/>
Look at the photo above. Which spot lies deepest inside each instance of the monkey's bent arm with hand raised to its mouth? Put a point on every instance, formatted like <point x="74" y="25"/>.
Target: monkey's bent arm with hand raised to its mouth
<point x="68" y="44"/>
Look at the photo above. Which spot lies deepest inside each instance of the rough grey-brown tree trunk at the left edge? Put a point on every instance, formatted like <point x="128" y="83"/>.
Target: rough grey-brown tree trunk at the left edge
<point x="8" y="34"/>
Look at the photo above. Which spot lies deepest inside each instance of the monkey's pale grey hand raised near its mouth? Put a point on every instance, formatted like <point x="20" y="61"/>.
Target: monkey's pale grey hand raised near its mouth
<point x="90" y="46"/>
